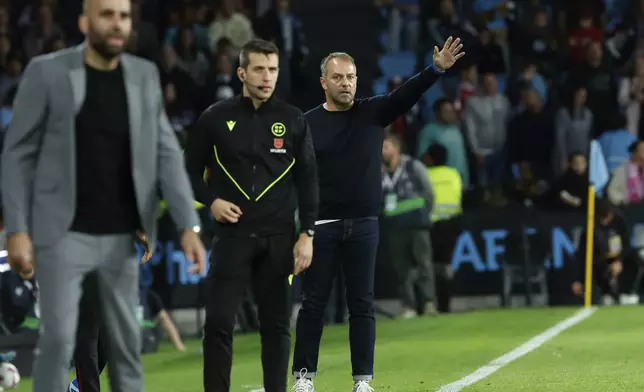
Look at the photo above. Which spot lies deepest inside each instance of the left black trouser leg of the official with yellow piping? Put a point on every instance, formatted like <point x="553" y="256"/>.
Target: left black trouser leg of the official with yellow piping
<point x="231" y="260"/>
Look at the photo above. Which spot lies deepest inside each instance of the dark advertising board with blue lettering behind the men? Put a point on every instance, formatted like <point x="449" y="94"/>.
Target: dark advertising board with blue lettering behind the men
<point x="485" y="240"/>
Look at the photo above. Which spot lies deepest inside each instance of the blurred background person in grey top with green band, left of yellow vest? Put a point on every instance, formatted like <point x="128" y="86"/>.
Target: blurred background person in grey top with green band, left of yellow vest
<point x="407" y="204"/>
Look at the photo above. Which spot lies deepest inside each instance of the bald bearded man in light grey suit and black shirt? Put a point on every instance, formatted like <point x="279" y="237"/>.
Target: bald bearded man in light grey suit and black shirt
<point x="84" y="157"/>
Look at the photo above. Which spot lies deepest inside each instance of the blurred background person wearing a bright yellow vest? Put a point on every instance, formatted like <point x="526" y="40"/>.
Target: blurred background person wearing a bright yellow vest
<point x="448" y="194"/>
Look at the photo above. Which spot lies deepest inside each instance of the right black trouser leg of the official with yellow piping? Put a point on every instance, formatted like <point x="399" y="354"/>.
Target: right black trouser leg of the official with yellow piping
<point x="272" y="292"/>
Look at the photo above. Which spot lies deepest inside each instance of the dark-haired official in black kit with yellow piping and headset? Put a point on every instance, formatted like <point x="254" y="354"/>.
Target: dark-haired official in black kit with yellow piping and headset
<point x="262" y="162"/>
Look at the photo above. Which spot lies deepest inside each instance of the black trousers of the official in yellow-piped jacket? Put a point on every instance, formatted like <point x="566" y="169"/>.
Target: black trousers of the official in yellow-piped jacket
<point x="266" y="263"/>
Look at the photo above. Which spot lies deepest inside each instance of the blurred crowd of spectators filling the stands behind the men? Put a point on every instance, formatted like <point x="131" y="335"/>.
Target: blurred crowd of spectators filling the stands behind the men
<point x="544" y="86"/>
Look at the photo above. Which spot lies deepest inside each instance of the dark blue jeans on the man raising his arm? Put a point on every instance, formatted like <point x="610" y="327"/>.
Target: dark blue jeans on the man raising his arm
<point x="352" y="245"/>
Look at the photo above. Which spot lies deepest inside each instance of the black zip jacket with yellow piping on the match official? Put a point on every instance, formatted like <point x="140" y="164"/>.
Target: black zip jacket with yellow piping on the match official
<point x="261" y="160"/>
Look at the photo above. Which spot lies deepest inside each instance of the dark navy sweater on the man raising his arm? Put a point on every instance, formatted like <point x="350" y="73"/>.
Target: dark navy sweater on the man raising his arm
<point x="348" y="148"/>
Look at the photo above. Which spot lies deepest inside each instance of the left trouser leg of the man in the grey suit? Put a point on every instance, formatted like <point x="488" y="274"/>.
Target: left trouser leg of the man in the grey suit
<point x="60" y="273"/>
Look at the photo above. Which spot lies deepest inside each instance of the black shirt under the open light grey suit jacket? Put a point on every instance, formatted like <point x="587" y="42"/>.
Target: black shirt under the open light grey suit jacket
<point x="105" y="199"/>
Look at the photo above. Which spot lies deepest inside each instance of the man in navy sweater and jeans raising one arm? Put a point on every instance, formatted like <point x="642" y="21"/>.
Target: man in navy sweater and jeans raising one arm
<point x="347" y="136"/>
